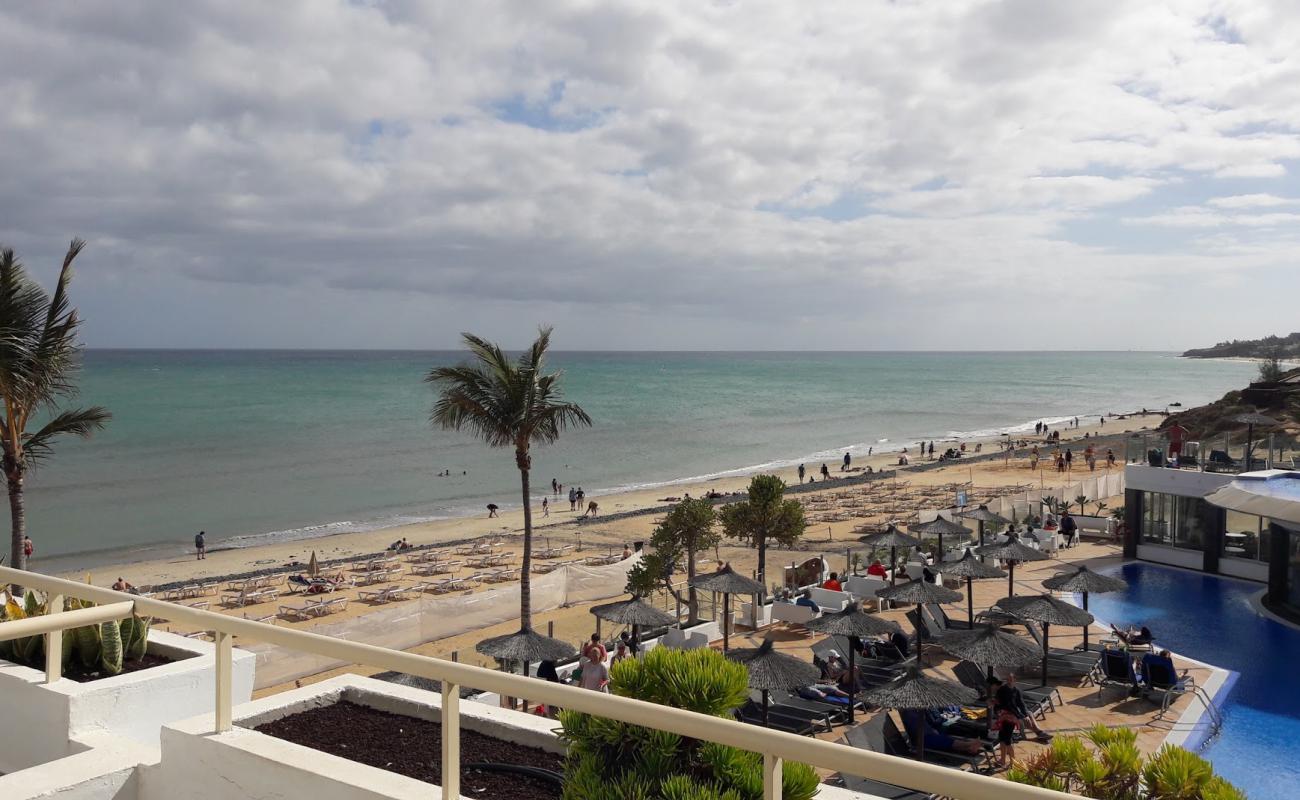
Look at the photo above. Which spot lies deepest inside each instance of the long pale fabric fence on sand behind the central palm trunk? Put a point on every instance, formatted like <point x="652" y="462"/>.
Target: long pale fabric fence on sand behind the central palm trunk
<point x="406" y="625"/>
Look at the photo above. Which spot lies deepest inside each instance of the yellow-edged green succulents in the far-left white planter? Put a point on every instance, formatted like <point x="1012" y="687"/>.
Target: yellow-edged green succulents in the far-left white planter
<point x="102" y="648"/>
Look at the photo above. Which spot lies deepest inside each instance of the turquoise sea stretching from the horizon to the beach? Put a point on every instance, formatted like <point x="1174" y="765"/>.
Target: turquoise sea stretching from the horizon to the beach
<point x="257" y="447"/>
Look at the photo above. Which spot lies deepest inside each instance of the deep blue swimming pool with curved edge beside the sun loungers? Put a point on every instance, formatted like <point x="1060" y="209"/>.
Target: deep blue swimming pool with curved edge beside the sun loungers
<point x="1212" y="620"/>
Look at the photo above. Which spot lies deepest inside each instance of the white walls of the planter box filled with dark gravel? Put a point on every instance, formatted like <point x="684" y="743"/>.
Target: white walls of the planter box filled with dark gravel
<point x="201" y="766"/>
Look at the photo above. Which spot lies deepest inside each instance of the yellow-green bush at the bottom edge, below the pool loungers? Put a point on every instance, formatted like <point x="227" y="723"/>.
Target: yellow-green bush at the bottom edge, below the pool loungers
<point x="1113" y="769"/>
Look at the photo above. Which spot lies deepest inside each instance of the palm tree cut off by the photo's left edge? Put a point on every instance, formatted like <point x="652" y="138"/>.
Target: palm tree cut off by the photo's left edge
<point x="40" y="357"/>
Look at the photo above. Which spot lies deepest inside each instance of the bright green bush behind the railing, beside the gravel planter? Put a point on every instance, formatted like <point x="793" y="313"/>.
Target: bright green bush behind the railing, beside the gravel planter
<point x="610" y="760"/>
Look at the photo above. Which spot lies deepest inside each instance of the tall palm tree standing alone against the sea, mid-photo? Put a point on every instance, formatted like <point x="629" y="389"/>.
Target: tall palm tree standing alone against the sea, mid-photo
<point x="508" y="405"/>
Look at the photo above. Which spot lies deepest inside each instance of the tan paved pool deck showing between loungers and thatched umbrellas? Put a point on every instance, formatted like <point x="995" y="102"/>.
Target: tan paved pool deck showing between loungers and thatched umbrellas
<point x="1082" y="707"/>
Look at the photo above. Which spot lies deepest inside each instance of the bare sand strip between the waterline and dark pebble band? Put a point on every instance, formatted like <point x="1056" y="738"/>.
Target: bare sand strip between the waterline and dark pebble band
<point x="181" y="565"/>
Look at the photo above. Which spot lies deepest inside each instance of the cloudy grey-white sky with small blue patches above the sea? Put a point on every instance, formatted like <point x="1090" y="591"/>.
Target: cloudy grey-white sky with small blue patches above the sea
<point x="860" y="175"/>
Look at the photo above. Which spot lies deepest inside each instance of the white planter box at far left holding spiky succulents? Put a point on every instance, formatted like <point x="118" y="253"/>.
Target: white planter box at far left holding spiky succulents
<point x="54" y="717"/>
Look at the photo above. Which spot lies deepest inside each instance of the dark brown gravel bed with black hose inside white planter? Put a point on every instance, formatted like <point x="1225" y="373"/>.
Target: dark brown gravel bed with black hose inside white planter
<point x="413" y="747"/>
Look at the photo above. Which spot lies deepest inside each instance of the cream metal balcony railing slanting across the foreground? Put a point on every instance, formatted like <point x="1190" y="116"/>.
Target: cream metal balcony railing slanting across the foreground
<point x="777" y="747"/>
